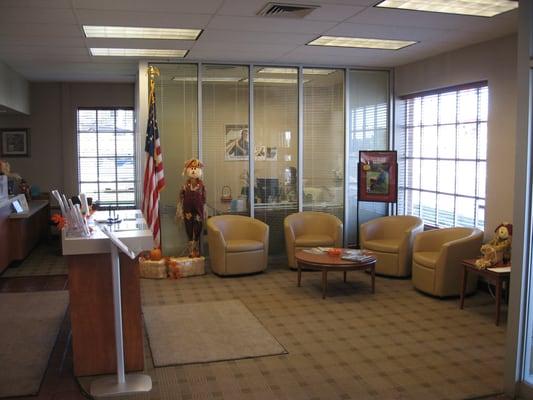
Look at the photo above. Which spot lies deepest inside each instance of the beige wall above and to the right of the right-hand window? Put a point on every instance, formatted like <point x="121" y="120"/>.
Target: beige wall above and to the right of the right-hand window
<point x="494" y="61"/>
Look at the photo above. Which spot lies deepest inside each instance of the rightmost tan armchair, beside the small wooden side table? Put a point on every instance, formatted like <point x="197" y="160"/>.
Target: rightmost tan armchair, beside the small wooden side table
<point x="437" y="257"/>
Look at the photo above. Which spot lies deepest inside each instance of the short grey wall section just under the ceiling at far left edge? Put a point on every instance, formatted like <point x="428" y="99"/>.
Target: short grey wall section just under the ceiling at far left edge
<point x="14" y="90"/>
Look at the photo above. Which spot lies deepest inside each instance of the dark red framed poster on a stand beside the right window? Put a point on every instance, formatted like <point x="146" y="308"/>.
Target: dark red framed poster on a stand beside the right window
<point x="378" y="176"/>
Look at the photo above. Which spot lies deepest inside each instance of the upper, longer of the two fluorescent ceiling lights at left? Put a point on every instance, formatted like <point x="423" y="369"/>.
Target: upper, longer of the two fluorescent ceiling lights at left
<point x="133" y="32"/>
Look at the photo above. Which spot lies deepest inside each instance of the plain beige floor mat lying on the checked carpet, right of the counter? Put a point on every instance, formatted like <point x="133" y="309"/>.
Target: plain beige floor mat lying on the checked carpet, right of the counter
<point x="205" y="332"/>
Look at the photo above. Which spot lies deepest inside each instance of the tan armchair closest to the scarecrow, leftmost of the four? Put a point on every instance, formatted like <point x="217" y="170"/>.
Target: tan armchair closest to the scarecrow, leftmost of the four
<point x="237" y="244"/>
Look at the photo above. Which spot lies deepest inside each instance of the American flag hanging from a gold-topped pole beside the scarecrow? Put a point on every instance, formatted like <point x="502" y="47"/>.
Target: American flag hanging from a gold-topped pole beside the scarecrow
<point x="154" y="179"/>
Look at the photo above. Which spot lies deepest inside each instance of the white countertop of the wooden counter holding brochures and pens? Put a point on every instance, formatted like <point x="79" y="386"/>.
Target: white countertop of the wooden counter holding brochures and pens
<point x="133" y="231"/>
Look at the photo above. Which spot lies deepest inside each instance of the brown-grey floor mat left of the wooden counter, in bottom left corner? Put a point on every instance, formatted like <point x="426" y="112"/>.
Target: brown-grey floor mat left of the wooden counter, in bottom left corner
<point x="29" y="325"/>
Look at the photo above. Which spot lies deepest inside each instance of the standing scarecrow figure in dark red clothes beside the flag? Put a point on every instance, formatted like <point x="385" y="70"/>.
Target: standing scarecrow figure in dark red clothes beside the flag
<point x="191" y="202"/>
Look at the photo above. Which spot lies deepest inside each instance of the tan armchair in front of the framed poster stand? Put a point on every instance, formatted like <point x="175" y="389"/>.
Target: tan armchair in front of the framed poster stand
<point x="391" y="240"/>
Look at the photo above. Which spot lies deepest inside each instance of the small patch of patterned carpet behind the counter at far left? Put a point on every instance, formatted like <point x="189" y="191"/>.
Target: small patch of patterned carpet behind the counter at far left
<point x="45" y="259"/>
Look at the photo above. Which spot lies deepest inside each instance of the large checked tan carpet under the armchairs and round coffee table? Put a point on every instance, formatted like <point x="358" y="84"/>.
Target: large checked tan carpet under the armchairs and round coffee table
<point x="395" y="344"/>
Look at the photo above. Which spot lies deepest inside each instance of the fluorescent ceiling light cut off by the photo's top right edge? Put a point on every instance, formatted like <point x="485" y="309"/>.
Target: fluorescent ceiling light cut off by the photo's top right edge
<point x="480" y="8"/>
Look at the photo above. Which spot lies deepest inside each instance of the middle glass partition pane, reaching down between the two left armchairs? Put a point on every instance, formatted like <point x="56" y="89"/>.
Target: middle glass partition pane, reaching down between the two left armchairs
<point x="275" y="119"/>
